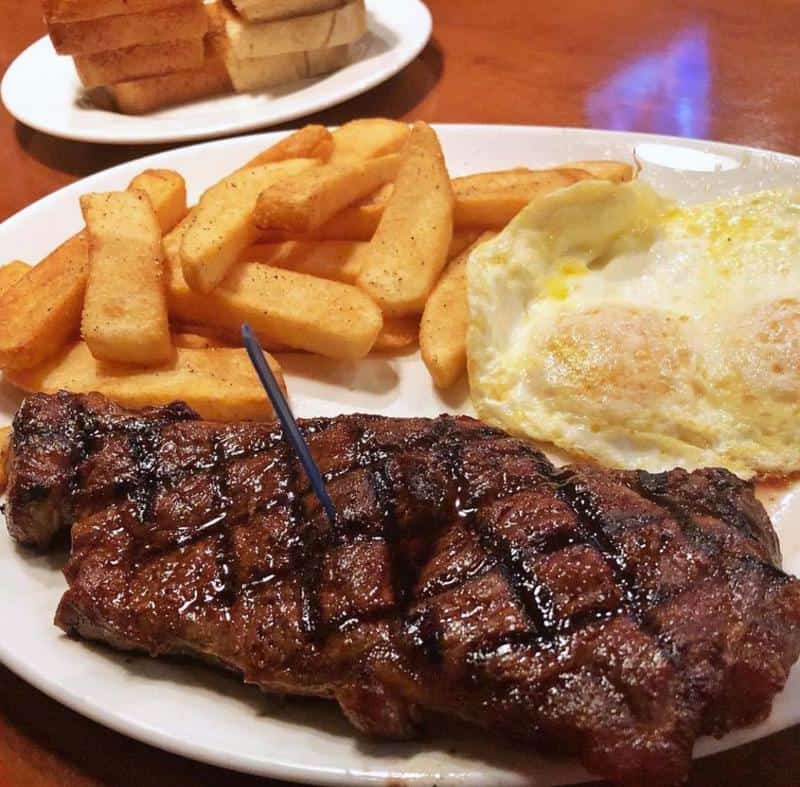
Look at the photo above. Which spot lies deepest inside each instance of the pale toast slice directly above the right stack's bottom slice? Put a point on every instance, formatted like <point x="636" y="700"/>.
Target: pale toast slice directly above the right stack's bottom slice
<point x="324" y="30"/>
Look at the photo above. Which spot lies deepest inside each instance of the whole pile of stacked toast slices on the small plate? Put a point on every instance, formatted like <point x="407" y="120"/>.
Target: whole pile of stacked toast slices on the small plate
<point x="150" y="54"/>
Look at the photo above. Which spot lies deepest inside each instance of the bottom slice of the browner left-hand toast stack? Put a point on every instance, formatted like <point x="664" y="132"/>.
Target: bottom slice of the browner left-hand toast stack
<point x="146" y="95"/>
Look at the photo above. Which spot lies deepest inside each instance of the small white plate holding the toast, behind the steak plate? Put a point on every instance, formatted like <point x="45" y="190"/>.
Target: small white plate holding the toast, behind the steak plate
<point x="41" y="89"/>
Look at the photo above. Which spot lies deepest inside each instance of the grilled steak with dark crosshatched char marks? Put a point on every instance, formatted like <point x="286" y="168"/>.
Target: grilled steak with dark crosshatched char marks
<point x="615" y="615"/>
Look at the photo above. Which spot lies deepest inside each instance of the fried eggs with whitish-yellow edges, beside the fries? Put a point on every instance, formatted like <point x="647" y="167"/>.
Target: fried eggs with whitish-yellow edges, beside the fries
<point x="643" y="334"/>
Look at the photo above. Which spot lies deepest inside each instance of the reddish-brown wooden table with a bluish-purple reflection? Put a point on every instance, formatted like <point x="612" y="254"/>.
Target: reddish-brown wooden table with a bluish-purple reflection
<point x="722" y="69"/>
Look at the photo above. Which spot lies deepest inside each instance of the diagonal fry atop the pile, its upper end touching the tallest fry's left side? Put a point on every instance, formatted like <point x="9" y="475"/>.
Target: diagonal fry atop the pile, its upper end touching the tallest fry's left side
<point x="304" y="203"/>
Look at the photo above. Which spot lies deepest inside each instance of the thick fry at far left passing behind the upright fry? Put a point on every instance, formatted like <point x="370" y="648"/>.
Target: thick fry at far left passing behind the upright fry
<point x="42" y="311"/>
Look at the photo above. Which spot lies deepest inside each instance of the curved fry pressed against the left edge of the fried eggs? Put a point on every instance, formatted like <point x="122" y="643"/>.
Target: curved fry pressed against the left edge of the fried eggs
<point x="443" y="328"/>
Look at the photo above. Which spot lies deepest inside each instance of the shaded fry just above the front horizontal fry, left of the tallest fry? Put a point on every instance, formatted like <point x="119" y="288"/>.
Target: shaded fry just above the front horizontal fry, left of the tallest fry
<point x="336" y="260"/>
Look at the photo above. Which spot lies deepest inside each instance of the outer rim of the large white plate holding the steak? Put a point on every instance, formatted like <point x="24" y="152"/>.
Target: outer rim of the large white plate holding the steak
<point x="159" y="738"/>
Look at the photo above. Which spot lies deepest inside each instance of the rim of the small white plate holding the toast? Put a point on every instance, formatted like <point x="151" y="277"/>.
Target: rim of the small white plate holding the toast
<point x="414" y="47"/>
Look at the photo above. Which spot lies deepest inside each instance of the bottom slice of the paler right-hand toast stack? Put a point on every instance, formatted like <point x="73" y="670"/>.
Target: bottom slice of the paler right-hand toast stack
<point x="258" y="73"/>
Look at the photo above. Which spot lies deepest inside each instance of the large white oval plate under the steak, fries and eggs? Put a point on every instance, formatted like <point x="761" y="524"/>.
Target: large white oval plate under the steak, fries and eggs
<point x="199" y="713"/>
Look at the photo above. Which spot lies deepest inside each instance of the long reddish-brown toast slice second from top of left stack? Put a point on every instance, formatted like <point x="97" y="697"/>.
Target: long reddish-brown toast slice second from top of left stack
<point x="121" y="31"/>
